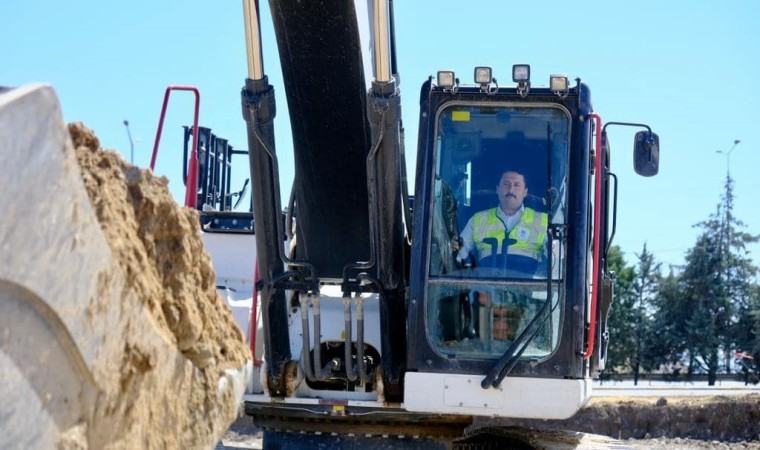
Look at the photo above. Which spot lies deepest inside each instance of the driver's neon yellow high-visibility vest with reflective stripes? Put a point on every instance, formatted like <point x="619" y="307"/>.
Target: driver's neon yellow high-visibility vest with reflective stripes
<point x="529" y="233"/>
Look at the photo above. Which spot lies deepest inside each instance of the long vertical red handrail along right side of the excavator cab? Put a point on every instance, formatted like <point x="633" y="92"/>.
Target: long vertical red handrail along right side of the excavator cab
<point x="597" y="235"/>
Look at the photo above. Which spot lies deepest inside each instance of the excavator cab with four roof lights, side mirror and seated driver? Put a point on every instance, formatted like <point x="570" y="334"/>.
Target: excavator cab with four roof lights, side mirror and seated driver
<point x="504" y="300"/>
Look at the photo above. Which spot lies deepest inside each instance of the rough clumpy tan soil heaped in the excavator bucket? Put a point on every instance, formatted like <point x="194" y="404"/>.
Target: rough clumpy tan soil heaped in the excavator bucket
<point x="158" y="245"/>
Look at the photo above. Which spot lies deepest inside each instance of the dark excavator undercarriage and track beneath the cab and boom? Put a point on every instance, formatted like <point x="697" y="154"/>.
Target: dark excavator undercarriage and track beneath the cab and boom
<point x="338" y="426"/>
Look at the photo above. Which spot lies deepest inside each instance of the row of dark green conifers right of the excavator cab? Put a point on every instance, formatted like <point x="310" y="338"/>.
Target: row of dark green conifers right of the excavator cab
<point x="699" y="318"/>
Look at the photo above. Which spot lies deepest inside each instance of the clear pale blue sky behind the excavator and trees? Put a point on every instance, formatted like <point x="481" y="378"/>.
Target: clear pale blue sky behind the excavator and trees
<point x="688" y="69"/>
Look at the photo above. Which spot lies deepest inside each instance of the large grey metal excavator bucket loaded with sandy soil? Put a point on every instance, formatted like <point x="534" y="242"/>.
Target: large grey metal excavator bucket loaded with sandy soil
<point x="103" y="344"/>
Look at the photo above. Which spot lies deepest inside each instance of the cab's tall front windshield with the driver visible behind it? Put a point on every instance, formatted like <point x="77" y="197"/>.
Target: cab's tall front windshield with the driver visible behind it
<point x="499" y="189"/>
